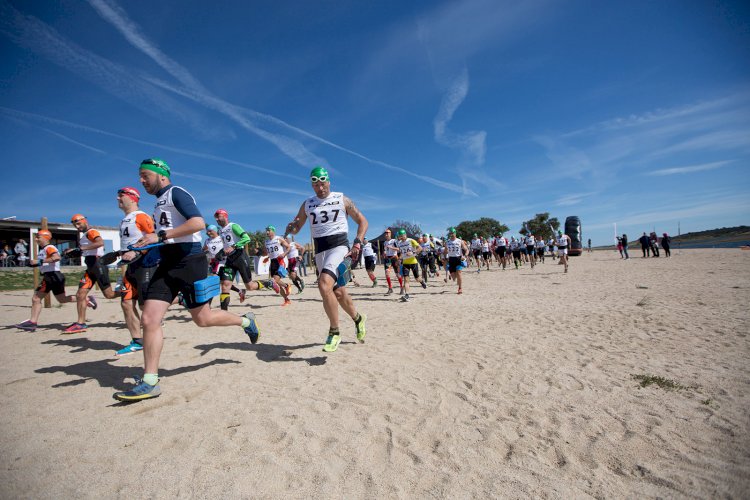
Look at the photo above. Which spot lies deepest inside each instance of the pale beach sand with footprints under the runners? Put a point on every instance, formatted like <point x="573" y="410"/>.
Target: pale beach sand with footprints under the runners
<point x="522" y="386"/>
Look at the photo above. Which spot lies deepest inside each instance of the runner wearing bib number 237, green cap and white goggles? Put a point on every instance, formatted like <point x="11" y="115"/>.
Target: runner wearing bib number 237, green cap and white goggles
<point x="328" y="213"/>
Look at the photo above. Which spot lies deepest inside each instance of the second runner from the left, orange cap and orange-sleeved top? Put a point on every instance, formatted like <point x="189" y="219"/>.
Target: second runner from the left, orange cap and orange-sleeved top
<point x="91" y="247"/>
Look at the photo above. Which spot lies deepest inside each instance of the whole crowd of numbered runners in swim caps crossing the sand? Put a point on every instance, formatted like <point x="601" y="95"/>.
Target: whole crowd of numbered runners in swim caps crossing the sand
<point x="173" y="255"/>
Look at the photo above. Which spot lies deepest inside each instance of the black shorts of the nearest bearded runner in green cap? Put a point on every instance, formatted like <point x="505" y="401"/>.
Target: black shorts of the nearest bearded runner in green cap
<point x="174" y="276"/>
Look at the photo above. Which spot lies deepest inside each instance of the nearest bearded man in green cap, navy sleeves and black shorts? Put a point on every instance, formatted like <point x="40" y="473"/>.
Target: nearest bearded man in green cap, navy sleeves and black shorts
<point x="178" y="225"/>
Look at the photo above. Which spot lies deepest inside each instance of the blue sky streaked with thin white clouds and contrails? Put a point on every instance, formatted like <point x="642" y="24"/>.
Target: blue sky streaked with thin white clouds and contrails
<point x="635" y="113"/>
